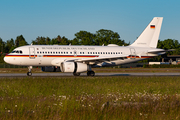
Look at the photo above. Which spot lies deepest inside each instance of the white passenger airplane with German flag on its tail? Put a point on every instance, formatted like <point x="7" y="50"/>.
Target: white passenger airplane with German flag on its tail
<point x="77" y="59"/>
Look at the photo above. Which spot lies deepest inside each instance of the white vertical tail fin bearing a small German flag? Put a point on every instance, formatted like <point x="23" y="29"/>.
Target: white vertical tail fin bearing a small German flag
<point x="149" y="37"/>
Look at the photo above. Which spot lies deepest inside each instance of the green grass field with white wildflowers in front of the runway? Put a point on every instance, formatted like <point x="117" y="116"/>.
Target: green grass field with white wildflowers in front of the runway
<point x="90" y="98"/>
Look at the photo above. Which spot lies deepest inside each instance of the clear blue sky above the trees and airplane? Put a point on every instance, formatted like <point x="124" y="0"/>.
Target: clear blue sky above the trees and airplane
<point x="50" y="18"/>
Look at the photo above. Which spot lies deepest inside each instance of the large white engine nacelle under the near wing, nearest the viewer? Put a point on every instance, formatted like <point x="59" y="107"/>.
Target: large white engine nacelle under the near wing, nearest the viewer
<point x="74" y="67"/>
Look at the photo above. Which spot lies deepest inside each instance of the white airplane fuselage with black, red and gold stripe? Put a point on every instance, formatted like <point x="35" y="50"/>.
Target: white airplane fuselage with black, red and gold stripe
<point x="43" y="55"/>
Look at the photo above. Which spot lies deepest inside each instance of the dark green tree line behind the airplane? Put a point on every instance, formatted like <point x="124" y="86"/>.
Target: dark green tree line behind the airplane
<point x="101" y="37"/>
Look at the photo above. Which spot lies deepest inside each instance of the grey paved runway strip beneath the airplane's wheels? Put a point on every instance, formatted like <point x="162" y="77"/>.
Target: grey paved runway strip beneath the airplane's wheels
<point x="84" y="74"/>
